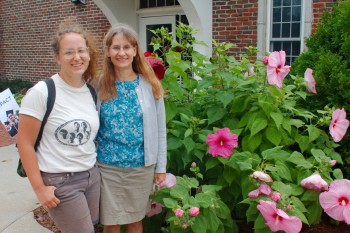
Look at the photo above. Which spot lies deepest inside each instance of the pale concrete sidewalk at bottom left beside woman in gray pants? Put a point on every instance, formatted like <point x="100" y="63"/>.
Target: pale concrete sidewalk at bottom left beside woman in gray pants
<point x="17" y="197"/>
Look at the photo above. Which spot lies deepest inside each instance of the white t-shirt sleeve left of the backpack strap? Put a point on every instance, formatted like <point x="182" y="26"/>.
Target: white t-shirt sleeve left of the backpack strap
<point x="34" y="102"/>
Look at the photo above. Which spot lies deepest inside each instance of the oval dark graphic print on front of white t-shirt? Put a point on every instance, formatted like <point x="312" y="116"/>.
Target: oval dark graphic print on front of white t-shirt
<point x="73" y="133"/>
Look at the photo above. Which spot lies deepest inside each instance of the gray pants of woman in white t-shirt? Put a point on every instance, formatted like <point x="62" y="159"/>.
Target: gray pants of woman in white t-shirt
<point x="79" y="193"/>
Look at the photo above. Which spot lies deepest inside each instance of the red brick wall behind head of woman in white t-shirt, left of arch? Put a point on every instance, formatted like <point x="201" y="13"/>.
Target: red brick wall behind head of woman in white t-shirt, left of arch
<point x="26" y="30"/>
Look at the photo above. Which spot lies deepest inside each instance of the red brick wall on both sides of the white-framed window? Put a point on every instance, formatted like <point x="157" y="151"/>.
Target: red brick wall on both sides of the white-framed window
<point x="235" y="21"/>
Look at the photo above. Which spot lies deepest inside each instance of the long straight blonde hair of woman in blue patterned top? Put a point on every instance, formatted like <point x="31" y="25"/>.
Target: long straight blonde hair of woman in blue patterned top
<point x="140" y="65"/>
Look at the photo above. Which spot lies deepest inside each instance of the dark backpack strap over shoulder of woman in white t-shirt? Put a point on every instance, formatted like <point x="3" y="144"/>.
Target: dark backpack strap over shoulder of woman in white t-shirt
<point x="49" y="105"/>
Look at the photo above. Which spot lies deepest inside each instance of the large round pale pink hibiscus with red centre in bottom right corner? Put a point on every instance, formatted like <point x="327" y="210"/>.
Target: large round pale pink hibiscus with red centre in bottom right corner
<point x="336" y="201"/>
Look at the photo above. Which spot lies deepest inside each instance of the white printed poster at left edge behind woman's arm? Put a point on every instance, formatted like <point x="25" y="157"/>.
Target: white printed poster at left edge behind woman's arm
<point x="9" y="110"/>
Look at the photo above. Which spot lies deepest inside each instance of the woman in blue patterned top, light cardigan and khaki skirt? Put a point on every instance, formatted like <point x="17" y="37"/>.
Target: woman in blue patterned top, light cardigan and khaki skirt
<point x="131" y="149"/>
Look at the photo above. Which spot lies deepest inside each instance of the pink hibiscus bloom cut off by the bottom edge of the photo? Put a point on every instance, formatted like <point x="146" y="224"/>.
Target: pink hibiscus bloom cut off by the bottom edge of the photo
<point x="277" y="219"/>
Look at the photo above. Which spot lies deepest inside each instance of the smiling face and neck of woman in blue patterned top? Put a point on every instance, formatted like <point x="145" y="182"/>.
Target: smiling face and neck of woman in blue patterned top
<point x="121" y="52"/>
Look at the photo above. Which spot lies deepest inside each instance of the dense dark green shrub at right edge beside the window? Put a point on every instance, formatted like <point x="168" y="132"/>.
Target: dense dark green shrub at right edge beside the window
<point x="329" y="56"/>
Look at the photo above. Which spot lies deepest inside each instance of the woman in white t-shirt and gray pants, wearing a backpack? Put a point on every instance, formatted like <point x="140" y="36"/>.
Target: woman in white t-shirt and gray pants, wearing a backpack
<point x="63" y="174"/>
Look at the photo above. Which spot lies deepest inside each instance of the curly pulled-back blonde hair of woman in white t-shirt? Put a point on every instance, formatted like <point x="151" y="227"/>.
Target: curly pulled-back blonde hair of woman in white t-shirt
<point x="71" y="25"/>
